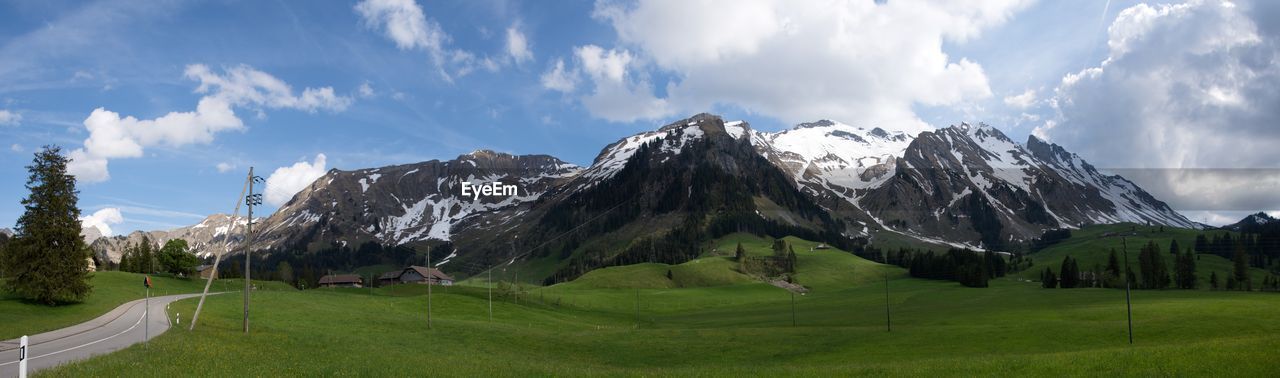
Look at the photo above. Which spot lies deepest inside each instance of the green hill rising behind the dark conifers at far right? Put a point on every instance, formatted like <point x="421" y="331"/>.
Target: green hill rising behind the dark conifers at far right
<point x="1094" y="244"/>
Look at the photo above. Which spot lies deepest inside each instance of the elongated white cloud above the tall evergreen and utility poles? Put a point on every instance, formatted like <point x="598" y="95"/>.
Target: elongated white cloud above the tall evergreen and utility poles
<point x="113" y="136"/>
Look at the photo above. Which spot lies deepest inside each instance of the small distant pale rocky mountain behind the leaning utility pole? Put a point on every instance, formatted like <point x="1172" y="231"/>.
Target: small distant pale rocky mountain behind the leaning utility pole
<point x="203" y="239"/>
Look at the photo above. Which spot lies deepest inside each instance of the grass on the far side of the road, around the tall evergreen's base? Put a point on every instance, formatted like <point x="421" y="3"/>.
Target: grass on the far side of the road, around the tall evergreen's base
<point x="111" y="290"/>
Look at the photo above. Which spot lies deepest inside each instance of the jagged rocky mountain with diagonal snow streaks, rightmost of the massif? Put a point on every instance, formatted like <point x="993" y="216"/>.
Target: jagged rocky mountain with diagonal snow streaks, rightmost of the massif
<point x="972" y="184"/>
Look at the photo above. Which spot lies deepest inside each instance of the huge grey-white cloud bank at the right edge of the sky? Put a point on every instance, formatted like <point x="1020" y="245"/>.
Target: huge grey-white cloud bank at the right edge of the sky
<point x="1188" y="99"/>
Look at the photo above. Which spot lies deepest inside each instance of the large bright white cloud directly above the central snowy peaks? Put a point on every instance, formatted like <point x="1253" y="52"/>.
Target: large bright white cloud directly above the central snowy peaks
<point x="858" y="62"/>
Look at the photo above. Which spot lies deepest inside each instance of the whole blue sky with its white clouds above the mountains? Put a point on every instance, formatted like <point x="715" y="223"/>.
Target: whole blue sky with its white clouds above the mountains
<point x="298" y="88"/>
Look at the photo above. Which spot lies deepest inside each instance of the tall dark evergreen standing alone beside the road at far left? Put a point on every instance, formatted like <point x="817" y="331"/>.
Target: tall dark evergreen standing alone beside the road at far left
<point x="48" y="261"/>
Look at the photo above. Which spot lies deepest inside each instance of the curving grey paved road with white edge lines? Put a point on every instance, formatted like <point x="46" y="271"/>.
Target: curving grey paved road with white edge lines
<point x="115" y="331"/>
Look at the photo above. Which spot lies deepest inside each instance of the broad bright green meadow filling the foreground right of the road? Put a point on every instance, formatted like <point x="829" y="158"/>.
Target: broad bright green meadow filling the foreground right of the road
<point x="684" y="327"/>
